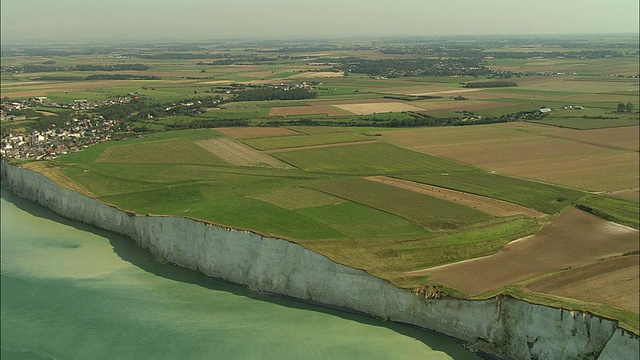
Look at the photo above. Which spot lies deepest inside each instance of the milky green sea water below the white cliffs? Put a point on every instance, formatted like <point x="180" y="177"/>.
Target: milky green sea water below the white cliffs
<point x="71" y="291"/>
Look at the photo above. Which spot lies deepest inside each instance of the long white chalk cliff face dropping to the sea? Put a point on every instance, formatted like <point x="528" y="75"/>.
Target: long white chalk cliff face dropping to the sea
<point x="503" y="325"/>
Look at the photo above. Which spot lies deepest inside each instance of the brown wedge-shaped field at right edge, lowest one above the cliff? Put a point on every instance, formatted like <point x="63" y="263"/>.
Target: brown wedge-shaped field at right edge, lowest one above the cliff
<point x="612" y="281"/>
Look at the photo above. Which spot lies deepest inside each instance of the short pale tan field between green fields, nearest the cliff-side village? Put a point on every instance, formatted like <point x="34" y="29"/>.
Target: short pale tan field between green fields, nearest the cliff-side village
<point x="239" y="154"/>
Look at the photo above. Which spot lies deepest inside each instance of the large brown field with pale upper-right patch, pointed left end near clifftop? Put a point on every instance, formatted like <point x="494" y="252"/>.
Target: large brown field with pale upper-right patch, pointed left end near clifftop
<point x="573" y="239"/>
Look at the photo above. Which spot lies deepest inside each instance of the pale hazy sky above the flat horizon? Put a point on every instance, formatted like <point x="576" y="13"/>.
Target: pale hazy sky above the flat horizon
<point x="106" y="20"/>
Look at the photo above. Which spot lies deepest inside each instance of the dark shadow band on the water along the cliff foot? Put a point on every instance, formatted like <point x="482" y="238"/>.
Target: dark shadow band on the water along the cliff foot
<point x="130" y="252"/>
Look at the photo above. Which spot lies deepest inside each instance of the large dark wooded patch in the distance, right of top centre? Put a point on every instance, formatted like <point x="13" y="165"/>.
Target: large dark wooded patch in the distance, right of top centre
<point x="416" y="67"/>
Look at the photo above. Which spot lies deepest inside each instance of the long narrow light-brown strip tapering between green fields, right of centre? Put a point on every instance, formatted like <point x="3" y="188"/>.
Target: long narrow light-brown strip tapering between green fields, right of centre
<point x="487" y="205"/>
